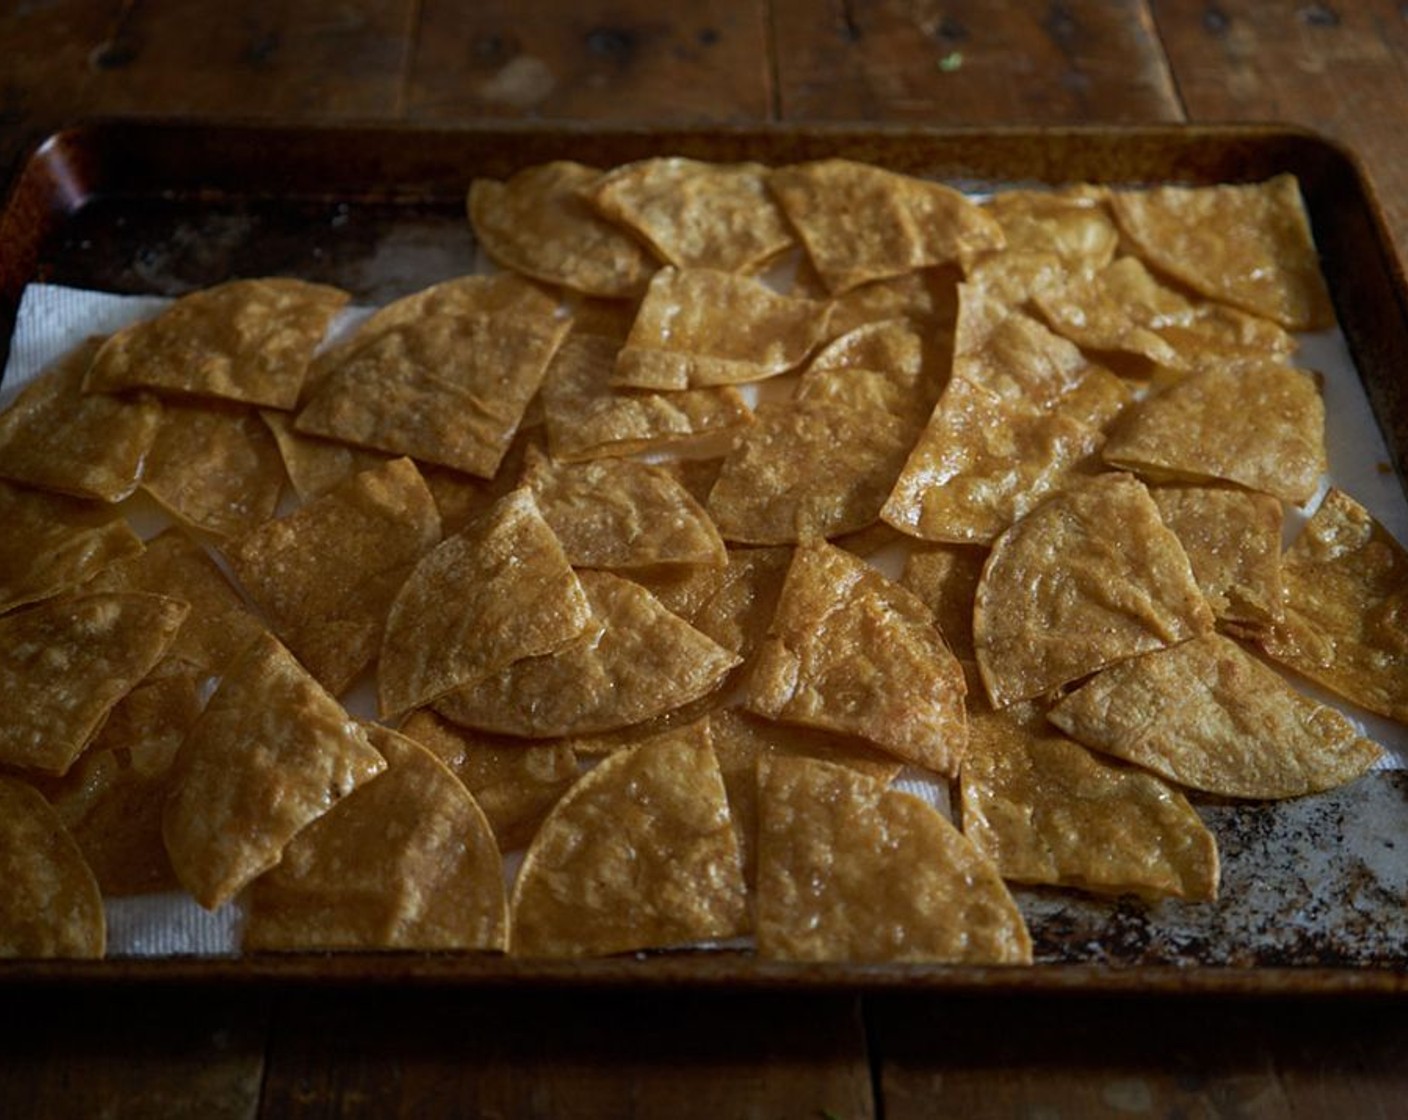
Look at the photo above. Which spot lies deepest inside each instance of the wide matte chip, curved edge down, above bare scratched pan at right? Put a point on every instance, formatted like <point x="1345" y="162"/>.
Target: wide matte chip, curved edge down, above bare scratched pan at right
<point x="1210" y="716"/>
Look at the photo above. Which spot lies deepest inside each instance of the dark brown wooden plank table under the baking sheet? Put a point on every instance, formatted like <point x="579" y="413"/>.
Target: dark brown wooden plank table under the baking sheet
<point x="298" y="1050"/>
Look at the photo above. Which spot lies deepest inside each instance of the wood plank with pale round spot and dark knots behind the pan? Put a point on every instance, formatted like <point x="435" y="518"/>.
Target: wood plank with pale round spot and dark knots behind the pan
<point x="629" y="60"/>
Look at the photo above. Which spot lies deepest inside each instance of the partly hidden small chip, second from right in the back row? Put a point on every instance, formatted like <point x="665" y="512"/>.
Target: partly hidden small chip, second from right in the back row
<point x="1076" y="225"/>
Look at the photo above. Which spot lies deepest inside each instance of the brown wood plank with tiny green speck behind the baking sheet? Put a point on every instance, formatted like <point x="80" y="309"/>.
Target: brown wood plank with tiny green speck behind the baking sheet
<point x="972" y="63"/>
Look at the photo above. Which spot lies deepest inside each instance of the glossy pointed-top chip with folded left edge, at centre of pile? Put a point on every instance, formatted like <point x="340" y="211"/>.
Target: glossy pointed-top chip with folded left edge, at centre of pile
<point x="853" y="652"/>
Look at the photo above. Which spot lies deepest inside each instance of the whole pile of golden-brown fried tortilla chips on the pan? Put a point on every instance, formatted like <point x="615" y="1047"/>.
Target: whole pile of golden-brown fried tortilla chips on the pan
<point x="665" y="550"/>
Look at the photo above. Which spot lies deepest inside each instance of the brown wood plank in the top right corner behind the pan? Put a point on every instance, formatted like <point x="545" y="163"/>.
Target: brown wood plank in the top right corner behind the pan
<point x="1341" y="70"/>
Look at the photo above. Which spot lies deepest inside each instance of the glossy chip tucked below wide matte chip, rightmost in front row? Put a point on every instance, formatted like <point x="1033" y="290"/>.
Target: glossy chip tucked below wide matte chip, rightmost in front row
<point x="1047" y="811"/>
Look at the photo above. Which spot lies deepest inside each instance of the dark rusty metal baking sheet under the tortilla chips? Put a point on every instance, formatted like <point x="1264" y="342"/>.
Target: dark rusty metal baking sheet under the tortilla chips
<point x="1314" y="891"/>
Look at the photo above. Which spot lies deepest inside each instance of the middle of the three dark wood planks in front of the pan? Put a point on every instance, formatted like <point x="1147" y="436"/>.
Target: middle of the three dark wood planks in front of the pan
<point x="585" y="1056"/>
